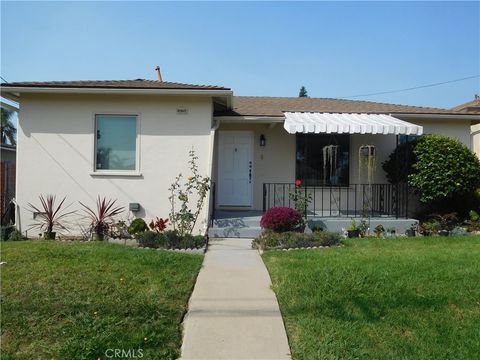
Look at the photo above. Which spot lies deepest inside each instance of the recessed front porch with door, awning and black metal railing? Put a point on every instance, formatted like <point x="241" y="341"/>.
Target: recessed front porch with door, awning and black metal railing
<point x="255" y="165"/>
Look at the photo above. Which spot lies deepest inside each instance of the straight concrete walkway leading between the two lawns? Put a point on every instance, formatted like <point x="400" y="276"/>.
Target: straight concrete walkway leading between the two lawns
<point x="233" y="313"/>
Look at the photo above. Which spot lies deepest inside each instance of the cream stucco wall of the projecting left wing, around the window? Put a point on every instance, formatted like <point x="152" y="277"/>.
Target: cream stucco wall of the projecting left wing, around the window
<point x="56" y="150"/>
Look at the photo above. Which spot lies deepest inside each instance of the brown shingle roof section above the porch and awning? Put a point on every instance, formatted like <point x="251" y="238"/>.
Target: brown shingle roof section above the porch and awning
<point x="275" y="106"/>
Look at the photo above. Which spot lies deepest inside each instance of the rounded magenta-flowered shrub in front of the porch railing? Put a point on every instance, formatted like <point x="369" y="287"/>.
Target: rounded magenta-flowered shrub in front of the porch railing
<point x="282" y="219"/>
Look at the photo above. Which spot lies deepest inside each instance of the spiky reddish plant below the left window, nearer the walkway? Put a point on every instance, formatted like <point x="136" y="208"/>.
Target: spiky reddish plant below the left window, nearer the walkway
<point x="102" y="217"/>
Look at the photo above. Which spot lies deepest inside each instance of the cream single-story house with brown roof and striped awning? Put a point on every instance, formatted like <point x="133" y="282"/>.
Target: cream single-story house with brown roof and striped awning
<point x="128" y="140"/>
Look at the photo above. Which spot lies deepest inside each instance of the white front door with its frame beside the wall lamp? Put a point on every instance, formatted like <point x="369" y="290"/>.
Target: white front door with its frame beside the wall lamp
<point x="235" y="156"/>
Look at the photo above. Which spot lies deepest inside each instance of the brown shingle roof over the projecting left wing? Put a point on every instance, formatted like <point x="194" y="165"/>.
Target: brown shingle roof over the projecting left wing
<point x="117" y="84"/>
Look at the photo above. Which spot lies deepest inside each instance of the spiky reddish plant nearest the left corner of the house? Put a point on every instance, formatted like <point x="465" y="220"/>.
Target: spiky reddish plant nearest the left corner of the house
<point x="49" y="216"/>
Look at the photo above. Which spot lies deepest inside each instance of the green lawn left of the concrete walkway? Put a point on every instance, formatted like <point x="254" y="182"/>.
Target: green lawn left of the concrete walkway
<point x="76" y="300"/>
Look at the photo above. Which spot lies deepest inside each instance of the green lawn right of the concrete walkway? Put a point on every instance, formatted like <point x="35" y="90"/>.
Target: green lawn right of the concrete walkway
<point x="408" y="298"/>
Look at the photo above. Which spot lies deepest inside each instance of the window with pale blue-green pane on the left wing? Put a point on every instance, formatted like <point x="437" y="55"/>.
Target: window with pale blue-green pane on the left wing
<point x="115" y="142"/>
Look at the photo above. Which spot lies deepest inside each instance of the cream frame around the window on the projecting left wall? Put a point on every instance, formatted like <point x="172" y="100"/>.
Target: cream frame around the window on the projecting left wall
<point x="101" y="172"/>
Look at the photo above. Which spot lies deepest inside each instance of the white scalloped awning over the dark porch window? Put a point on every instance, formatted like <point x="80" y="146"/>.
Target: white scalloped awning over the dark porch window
<point x="342" y="123"/>
